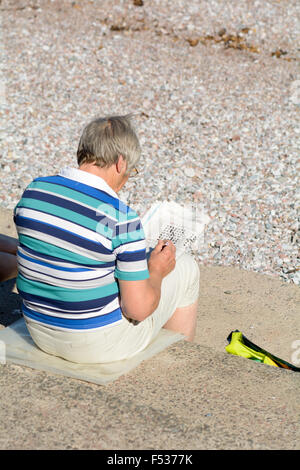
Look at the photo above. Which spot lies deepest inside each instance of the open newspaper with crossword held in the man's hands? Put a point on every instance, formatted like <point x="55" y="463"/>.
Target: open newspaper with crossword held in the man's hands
<point x="183" y="225"/>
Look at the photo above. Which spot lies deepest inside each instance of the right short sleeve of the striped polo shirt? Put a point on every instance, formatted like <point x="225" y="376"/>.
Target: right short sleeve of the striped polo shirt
<point x="129" y="247"/>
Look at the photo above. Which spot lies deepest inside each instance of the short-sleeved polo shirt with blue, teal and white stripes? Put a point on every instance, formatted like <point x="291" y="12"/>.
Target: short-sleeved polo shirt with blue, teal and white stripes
<point x="76" y="237"/>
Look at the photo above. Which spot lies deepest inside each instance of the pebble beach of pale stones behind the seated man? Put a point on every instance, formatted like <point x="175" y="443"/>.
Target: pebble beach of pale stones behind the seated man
<point x="214" y="88"/>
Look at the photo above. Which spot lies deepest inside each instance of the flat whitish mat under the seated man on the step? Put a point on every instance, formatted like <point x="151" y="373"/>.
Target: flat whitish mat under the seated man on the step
<point x="17" y="347"/>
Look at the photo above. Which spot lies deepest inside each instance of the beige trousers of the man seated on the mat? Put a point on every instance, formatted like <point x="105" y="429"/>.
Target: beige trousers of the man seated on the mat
<point x="179" y="289"/>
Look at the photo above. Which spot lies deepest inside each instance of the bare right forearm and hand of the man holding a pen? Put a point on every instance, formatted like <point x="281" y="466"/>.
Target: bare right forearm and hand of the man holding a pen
<point x="139" y="299"/>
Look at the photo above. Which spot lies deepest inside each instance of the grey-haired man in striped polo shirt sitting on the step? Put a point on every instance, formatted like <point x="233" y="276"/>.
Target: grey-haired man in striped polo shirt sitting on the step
<point x="89" y="293"/>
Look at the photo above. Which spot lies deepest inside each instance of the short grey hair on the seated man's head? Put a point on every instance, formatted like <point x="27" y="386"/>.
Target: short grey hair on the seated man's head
<point x="104" y="139"/>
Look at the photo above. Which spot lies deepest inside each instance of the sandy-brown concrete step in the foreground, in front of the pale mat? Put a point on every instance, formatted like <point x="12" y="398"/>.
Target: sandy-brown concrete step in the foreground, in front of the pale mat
<point x="187" y="397"/>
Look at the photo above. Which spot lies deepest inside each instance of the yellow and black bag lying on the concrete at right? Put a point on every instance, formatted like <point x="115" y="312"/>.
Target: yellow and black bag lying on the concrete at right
<point x="239" y="345"/>
